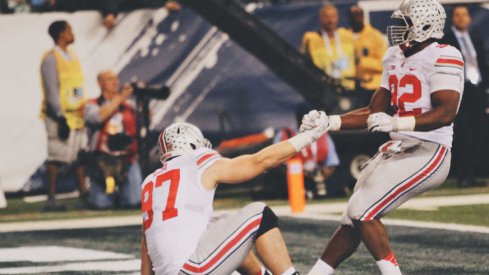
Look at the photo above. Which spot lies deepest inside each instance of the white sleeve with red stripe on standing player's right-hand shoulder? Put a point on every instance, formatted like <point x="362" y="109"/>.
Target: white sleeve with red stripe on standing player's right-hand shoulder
<point x="448" y="70"/>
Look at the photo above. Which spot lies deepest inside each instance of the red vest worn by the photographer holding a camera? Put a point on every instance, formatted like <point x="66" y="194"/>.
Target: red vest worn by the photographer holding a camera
<point x="123" y="120"/>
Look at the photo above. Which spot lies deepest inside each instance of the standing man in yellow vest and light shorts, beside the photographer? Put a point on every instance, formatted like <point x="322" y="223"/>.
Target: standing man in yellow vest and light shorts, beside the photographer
<point x="62" y="109"/>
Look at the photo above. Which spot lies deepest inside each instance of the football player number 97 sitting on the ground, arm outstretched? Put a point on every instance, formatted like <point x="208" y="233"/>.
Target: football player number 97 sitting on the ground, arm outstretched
<point x="177" y="207"/>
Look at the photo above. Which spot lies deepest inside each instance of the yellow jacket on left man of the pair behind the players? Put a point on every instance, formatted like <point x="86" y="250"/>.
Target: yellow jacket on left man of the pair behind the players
<point x="335" y="56"/>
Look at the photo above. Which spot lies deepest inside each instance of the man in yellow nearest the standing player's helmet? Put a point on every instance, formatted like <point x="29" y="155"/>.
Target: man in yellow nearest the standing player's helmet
<point x="370" y="46"/>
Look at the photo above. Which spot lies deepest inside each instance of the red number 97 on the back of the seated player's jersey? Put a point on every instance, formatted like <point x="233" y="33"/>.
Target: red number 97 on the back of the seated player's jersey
<point x="172" y="177"/>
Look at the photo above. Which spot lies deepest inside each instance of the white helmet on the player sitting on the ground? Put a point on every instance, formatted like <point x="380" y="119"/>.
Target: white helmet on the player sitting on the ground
<point x="181" y="138"/>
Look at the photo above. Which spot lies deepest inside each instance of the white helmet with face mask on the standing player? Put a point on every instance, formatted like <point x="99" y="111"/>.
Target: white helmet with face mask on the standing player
<point x="419" y="20"/>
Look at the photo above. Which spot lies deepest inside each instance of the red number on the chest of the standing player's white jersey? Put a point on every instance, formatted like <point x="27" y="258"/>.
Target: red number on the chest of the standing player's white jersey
<point x="398" y="102"/>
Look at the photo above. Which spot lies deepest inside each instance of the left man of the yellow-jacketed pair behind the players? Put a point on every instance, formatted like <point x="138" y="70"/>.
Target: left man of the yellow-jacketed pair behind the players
<point x="331" y="49"/>
